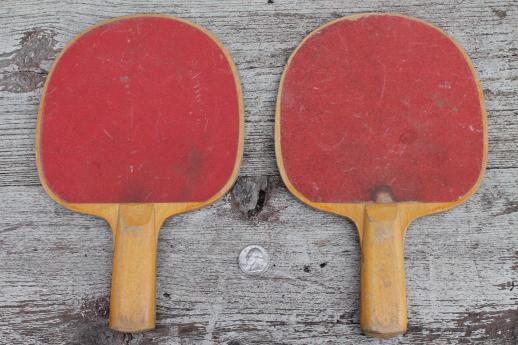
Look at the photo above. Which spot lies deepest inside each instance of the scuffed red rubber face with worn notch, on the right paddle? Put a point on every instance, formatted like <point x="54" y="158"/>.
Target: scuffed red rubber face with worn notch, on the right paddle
<point x="381" y="102"/>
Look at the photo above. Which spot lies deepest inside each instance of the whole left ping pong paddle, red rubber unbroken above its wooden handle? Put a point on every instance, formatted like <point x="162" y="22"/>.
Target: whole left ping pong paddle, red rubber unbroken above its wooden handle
<point x="141" y="118"/>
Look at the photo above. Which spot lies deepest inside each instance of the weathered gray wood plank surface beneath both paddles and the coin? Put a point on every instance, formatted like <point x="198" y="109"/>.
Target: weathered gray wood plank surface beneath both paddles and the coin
<point x="462" y="266"/>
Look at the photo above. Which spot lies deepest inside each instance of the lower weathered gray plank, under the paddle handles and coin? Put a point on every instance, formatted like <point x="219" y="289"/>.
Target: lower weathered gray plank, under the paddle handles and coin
<point x="460" y="271"/>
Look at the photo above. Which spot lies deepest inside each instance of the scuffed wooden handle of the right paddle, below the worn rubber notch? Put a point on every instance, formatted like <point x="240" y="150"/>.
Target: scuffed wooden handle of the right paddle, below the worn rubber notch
<point x="383" y="292"/>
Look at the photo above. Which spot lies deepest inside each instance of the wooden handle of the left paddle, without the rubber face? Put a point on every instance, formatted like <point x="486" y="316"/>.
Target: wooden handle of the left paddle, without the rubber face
<point x="132" y="302"/>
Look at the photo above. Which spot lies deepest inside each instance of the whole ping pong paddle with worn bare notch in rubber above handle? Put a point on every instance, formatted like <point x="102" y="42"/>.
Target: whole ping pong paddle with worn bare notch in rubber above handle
<point x="380" y="118"/>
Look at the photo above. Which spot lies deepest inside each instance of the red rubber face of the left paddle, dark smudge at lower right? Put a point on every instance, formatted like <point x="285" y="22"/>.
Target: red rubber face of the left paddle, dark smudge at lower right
<point x="143" y="109"/>
